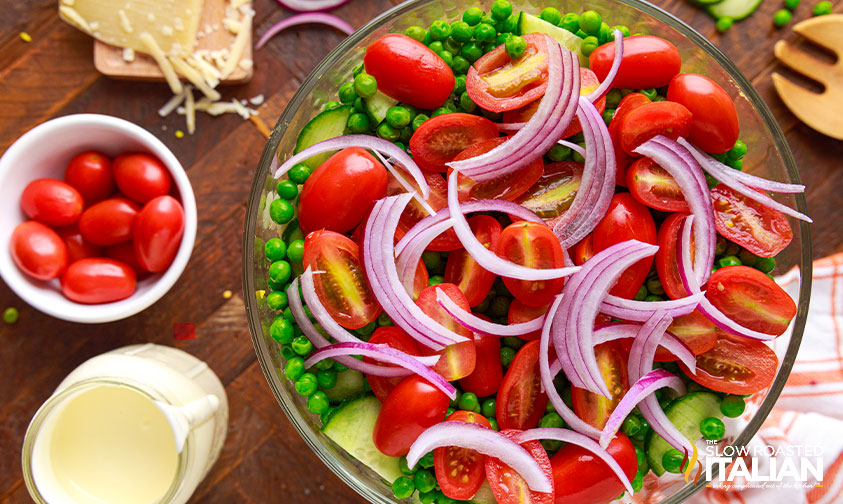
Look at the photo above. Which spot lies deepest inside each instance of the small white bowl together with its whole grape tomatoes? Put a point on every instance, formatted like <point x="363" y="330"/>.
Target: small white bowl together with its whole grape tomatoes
<point x="97" y="218"/>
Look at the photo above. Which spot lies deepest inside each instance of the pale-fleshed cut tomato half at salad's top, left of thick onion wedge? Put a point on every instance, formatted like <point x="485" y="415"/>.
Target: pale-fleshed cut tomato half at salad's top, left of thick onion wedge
<point x="498" y="83"/>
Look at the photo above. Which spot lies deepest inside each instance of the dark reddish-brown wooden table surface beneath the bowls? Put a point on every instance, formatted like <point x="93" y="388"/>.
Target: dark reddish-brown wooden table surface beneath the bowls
<point x="263" y="460"/>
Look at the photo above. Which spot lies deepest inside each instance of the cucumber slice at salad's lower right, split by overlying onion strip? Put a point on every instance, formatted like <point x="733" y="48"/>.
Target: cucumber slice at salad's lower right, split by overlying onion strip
<point x="685" y="413"/>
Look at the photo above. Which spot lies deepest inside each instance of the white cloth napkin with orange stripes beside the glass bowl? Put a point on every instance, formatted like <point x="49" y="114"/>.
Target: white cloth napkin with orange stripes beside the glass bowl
<point x="807" y="419"/>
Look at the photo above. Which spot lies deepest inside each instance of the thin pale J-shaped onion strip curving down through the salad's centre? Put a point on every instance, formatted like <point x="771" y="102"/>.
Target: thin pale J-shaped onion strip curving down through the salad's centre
<point x="487" y="259"/>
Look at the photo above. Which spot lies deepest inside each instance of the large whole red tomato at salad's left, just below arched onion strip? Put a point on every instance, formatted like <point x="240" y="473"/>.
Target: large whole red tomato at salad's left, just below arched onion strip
<point x="341" y="191"/>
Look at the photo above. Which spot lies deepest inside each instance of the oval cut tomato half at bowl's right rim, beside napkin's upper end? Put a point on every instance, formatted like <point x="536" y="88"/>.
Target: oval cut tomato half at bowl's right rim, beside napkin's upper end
<point x="751" y="298"/>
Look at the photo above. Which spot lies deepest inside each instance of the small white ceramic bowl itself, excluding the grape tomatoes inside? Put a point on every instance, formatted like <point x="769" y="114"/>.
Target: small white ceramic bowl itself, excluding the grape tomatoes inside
<point x="45" y="151"/>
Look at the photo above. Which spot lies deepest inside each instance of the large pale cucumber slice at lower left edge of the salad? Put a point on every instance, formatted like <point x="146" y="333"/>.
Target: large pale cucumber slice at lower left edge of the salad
<point x="351" y="428"/>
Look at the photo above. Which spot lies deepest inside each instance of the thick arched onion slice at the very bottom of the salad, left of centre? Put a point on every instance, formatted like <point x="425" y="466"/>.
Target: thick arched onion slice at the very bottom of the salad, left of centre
<point x="485" y="441"/>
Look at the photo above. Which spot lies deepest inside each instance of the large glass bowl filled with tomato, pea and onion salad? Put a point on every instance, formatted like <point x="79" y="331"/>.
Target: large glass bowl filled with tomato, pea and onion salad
<point x="511" y="251"/>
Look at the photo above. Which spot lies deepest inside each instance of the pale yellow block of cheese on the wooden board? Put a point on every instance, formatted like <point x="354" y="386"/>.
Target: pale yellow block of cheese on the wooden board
<point x="172" y="24"/>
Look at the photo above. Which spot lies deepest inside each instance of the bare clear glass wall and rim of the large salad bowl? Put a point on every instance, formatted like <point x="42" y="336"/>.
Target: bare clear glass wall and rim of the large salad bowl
<point x="769" y="156"/>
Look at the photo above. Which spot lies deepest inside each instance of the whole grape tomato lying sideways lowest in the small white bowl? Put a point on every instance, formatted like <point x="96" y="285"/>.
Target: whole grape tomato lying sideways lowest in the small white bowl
<point x="97" y="280"/>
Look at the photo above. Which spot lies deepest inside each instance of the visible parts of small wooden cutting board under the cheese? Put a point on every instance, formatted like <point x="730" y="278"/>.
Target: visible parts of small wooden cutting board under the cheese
<point x="109" y="60"/>
